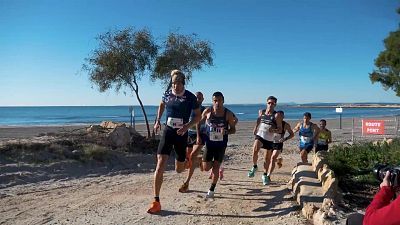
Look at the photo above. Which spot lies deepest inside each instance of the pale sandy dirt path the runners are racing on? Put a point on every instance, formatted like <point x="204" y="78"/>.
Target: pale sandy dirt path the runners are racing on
<point x="124" y="198"/>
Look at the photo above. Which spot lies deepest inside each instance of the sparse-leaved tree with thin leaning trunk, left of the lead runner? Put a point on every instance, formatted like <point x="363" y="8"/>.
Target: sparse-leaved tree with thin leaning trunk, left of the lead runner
<point x="122" y="58"/>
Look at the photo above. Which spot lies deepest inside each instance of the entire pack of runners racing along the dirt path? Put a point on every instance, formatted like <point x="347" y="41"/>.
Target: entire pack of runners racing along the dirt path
<point x="190" y="126"/>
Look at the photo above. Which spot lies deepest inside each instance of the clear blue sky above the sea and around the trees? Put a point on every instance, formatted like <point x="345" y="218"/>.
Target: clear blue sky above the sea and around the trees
<point x="299" y="51"/>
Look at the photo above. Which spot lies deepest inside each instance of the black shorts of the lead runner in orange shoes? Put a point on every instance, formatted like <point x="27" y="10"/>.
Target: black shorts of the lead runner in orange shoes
<point x="171" y="140"/>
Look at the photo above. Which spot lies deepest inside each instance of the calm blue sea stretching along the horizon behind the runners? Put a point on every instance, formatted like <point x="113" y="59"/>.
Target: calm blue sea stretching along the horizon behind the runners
<point x="84" y="115"/>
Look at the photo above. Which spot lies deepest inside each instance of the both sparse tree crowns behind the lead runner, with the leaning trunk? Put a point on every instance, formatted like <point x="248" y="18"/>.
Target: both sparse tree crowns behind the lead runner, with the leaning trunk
<point x="123" y="57"/>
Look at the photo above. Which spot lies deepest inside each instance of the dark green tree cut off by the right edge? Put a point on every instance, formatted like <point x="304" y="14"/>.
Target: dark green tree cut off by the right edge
<point x="388" y="63"/>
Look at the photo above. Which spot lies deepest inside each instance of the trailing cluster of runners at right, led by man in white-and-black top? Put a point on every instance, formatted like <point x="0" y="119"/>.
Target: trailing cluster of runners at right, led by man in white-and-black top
<point x="270" y="131"/>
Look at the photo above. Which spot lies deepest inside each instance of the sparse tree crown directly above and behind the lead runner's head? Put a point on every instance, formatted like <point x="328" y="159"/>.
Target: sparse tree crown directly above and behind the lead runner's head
<point x="184" y="52"/>
